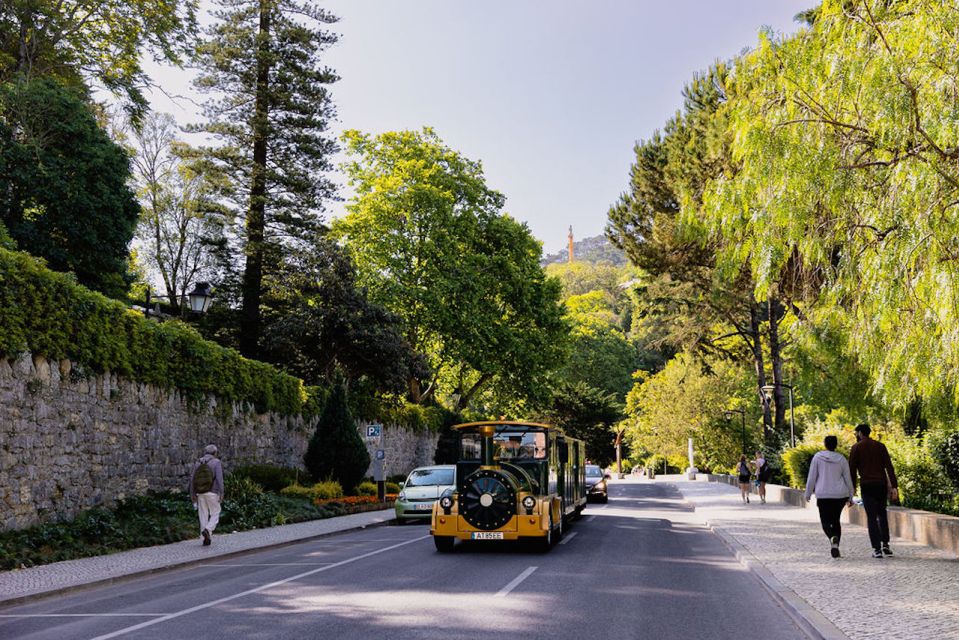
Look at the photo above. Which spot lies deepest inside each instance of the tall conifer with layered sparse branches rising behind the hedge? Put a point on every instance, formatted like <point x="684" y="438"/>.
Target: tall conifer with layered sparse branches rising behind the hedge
<point x="269" y="113"/>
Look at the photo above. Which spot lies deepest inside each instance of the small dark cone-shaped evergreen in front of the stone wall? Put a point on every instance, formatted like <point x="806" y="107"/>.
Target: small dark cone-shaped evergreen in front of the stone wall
<point x="336" y="450"/>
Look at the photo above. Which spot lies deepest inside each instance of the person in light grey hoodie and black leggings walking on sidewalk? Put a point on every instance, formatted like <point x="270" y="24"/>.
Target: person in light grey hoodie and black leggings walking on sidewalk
<point x="829" y="478"/>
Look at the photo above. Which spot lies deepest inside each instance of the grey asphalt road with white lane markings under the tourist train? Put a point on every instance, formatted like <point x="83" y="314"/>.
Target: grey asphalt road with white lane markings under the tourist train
<point x="637" y="567"/>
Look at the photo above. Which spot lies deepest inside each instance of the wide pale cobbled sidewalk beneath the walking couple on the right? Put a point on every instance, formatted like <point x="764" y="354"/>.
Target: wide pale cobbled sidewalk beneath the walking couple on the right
<point x="914" y="594"/>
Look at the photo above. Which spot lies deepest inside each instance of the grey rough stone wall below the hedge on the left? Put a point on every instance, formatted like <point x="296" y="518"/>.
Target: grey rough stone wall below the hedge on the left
<point x="70" y="441"/>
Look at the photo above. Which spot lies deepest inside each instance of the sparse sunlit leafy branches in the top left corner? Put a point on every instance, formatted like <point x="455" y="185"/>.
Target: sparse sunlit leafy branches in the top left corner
<point x="101" y="41"/>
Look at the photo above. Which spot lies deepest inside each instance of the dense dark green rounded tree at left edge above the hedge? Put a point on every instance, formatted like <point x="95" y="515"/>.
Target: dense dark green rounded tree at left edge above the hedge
<point x="63" y="184"/>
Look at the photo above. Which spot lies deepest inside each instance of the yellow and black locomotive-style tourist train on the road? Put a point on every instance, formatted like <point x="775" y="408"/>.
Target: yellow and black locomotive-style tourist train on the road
<point x="514" y="481"/>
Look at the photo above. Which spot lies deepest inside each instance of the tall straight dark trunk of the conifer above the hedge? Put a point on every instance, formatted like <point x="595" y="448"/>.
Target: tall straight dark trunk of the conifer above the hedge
<point x="256" y="217"/>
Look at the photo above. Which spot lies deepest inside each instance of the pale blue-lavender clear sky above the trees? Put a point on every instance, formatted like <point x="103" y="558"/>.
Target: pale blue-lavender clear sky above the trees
<point x="550" y="95"/>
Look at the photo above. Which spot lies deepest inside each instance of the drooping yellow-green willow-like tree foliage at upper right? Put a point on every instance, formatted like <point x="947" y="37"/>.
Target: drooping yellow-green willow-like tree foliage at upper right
<point x="847" y="139"/>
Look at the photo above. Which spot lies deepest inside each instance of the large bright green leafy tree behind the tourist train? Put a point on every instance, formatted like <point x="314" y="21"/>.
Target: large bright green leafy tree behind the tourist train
<point x="430" y="244"/>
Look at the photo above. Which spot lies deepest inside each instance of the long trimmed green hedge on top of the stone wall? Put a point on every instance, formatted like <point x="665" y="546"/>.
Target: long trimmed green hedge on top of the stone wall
<point x="46" y="313"/>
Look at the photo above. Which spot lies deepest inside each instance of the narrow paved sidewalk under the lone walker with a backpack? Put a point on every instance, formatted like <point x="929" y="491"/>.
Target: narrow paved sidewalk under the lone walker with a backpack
<point x="62" y="576"/>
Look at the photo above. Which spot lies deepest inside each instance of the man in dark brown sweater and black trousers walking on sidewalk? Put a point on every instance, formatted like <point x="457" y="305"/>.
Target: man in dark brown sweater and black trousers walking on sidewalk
<point x="869" y="462"/>
